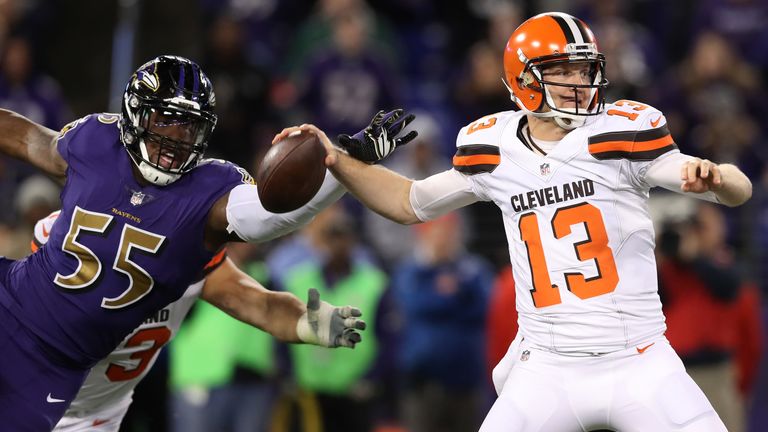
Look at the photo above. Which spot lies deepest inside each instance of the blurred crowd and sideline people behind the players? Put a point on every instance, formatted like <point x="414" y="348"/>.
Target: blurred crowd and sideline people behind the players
<point x="439" y="298"/>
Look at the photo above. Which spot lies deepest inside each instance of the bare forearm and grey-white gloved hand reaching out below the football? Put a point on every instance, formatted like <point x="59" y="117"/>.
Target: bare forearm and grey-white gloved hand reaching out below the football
<point x="281" y="314"/>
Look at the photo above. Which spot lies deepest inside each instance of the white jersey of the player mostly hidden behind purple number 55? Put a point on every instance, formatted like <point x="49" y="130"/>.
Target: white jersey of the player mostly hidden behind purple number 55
<point x="111" y="381"/>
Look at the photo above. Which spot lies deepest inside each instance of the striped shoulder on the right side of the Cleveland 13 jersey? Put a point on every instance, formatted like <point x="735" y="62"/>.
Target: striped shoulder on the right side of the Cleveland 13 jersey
<point x="630" y="130"/>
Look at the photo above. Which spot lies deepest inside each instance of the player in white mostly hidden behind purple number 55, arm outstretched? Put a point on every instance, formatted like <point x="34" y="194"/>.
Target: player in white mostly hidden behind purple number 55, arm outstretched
<point x="106" y="395"/>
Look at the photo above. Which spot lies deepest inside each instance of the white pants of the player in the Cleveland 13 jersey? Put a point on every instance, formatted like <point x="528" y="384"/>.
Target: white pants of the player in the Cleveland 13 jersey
<point x="625" y="390"/>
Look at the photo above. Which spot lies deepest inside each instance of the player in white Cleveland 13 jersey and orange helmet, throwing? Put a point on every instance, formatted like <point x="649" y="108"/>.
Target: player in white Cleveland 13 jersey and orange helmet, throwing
<point x="571" y="176"/>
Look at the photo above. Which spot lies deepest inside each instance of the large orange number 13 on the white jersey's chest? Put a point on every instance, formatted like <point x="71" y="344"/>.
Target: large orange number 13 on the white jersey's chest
<point x="595" y="247"/>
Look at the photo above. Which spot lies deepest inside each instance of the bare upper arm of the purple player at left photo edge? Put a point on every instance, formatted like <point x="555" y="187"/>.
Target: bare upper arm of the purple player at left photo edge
<point x="30" y="142"/>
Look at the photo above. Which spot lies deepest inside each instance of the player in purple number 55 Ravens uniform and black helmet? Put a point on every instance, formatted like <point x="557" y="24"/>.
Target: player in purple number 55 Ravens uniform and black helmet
<point x="142" y="213"/>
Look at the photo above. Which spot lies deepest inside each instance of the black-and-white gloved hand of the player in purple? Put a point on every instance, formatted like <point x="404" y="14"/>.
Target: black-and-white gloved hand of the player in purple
<point x="379" y="139"/>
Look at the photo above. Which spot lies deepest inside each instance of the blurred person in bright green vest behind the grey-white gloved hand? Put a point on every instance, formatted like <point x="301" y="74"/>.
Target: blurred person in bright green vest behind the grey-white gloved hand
<point x="345" y="389"/>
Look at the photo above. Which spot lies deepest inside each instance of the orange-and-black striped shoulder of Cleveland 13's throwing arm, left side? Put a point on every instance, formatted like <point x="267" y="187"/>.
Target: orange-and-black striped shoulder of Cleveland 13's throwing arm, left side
<point x="478" y="143"/>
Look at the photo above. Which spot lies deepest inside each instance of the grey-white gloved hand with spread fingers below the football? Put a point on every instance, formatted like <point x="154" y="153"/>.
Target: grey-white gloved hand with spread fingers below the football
<point x="329" y="326"/>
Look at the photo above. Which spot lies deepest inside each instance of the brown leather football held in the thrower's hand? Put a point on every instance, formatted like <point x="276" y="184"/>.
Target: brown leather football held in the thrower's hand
<point x="291" y="172"/>
